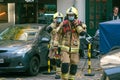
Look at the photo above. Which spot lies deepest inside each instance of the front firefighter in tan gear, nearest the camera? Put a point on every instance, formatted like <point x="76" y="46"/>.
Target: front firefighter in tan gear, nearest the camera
<point x="70" y="30"/>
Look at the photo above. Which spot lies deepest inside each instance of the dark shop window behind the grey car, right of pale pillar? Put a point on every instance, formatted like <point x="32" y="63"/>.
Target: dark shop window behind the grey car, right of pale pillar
<point x="35" y="12"/>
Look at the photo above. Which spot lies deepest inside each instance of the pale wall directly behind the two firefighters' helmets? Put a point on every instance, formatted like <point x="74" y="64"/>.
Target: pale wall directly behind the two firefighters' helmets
<point x="63" y="5"/>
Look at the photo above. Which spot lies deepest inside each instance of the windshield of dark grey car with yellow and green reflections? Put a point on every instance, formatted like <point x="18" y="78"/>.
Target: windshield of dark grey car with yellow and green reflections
<point x="19" y="33"/>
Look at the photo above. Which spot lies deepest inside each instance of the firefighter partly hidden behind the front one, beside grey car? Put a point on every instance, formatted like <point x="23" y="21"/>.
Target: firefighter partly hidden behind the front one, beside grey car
<point x="54" y="53"/>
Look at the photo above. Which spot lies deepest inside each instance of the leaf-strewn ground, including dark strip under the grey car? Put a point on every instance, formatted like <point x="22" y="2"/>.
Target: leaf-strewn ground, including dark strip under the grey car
<point x="82" y="70"/>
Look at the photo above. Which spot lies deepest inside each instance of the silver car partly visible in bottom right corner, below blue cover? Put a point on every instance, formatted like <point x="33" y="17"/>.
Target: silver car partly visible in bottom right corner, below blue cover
<point x="110" y="64"/>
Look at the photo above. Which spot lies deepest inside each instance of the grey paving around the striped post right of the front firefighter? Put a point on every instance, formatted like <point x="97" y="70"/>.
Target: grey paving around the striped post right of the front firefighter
<point x="83" y="69"/>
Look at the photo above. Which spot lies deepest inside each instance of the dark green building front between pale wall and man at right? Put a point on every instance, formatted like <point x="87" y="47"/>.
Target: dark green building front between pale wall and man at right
<point x="96" y="12"/>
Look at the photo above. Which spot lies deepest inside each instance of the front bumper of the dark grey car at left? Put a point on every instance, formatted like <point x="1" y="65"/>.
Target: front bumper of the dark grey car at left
<point x="14" y="64"/>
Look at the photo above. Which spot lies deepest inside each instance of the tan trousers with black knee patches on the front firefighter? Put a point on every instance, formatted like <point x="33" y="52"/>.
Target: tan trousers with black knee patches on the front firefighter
<point x="69" y="65"/>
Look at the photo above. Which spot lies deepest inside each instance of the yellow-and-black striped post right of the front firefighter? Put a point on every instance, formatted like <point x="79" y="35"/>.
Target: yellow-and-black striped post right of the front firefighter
<point x="89" y="62"/>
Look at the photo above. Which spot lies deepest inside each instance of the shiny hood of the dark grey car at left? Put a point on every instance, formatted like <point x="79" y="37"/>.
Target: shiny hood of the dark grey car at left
<point x="11" y="45"/>
